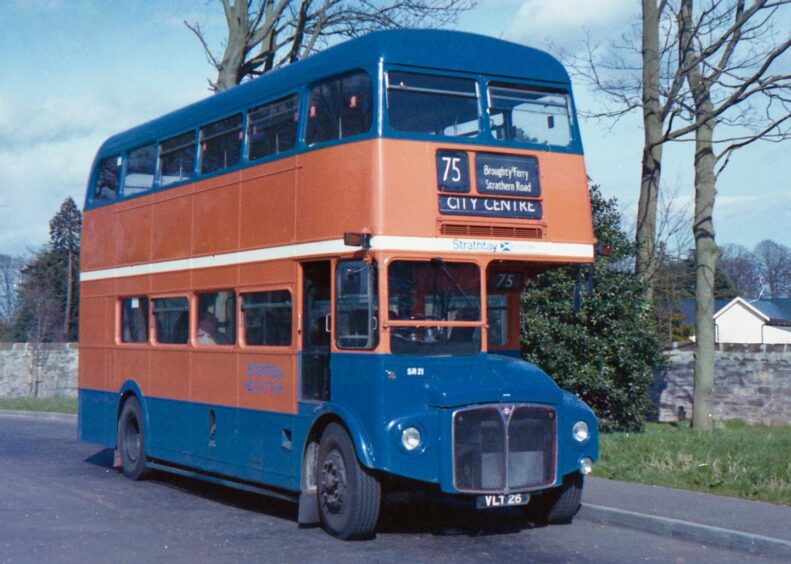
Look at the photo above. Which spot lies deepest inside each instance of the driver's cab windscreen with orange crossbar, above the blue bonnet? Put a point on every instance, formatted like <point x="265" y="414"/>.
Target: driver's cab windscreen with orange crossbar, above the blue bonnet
<point x="425" y="291"/>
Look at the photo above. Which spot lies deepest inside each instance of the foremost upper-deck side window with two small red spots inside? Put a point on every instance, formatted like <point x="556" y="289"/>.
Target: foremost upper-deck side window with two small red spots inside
<point x="339" y="107"/>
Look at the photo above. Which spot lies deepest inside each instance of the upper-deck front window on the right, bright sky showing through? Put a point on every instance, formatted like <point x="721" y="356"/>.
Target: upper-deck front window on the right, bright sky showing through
<point x="531" y="116"/>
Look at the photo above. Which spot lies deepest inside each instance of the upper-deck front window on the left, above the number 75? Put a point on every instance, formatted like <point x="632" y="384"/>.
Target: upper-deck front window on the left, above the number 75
<point x="432" y="105"/>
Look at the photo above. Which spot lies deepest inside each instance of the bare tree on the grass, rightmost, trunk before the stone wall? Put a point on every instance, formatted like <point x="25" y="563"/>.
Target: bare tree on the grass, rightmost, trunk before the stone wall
<point x="726" y="52"/>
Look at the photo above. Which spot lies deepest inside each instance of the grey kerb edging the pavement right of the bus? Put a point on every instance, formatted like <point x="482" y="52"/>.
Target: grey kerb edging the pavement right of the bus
<point x="686" y="530"/>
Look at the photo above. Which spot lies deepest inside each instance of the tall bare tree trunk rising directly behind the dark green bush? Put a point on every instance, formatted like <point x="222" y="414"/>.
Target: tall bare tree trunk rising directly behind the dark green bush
<point x="645" y="235"/>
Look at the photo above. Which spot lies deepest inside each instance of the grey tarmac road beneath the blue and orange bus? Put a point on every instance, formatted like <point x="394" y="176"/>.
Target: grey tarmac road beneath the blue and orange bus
<point x="61" y="502"/>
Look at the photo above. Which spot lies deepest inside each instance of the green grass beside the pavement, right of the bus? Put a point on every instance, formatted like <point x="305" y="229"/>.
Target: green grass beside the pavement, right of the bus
<point x="734" y="460"/>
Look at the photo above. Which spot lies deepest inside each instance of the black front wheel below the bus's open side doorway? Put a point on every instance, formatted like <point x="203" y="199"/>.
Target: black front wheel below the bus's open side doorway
<point x="349" y="495"/>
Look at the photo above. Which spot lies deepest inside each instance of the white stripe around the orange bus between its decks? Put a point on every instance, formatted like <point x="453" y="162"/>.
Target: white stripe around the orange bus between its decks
<point x="515" y="249"/>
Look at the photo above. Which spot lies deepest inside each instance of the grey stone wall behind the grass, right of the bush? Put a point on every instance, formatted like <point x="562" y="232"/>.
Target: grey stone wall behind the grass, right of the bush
<point x="752" y="383"/>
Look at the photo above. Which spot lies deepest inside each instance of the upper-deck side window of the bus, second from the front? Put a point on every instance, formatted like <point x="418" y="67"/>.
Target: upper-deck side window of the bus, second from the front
<point x="272" y="128"/>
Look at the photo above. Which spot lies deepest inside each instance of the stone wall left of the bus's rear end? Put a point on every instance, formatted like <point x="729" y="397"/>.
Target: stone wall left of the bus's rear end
<point x="50" y="370"/>
